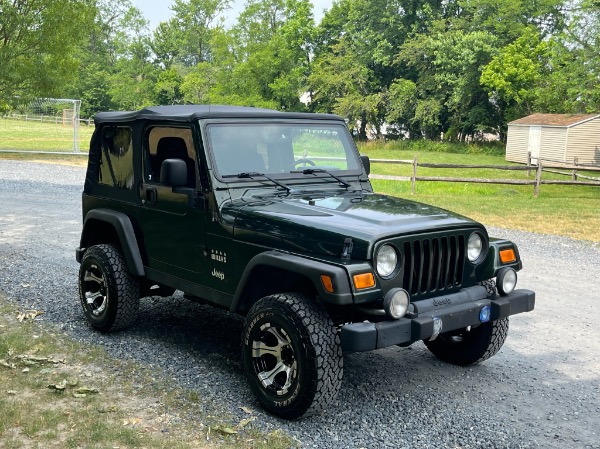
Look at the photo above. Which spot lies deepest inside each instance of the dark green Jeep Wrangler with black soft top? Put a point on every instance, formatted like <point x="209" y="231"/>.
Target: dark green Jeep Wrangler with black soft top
<point x="271" y="215"/>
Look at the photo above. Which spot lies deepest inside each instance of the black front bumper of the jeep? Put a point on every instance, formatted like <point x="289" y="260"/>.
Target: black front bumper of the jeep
<point x="456" y="311"/>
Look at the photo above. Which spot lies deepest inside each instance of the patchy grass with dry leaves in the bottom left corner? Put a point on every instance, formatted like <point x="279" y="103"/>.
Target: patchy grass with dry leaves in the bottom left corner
<point x="56" y="393"/>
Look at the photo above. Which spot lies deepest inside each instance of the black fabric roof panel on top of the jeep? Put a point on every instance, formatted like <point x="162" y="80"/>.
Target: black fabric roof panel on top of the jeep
<point x="189" y="113"/>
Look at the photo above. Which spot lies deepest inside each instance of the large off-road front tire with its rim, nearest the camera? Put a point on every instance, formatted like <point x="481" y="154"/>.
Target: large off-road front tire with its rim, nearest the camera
<point x="292" y="355"/>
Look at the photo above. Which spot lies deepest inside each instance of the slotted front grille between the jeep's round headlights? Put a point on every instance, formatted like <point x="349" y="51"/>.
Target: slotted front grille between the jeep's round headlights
<point x="433" y="264"/>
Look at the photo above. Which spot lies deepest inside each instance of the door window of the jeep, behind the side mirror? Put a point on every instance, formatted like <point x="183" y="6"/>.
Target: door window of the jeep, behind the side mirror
<point x="169" y="143"/>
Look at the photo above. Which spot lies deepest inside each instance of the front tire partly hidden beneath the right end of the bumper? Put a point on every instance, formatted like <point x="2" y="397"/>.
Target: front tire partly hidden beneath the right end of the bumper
<point x="464" y="347"/>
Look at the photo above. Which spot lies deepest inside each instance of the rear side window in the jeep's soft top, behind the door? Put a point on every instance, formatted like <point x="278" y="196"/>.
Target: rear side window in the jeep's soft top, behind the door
<point x="116" y="160"/>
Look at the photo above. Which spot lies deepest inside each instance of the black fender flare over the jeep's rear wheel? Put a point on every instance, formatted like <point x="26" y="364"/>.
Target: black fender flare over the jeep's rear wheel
<point x="124" y="229"/>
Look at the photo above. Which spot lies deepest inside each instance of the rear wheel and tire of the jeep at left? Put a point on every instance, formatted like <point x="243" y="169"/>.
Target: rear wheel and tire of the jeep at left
<point x="109" y="295"/>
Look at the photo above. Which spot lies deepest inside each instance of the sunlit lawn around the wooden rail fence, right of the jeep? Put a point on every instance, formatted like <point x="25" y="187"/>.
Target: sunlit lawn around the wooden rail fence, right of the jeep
<point x="571" y="211"/>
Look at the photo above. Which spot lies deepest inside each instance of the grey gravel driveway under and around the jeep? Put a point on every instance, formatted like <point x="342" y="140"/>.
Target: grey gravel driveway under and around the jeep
<point x="542" y="389"/>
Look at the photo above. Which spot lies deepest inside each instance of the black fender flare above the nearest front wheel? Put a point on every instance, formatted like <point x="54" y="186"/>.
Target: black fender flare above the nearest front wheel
<point x="312" y="269"/>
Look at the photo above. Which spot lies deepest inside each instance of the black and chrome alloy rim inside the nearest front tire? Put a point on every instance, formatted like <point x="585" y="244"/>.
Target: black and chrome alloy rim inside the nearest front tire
<point x="274" y="359"/>
